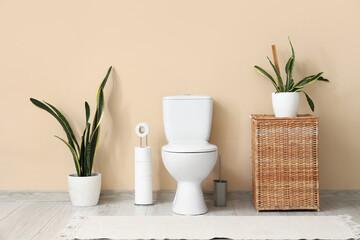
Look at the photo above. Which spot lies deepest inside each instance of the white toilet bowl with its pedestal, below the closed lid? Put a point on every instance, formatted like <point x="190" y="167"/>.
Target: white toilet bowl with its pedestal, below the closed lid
<point x="189" y="170"/>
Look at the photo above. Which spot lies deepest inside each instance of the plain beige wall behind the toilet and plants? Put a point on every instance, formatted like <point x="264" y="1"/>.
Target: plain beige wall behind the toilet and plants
<point x="59" y="51"/>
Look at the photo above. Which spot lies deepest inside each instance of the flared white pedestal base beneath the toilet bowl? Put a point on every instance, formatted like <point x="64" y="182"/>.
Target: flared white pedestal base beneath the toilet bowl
<point x="189" y="199"/>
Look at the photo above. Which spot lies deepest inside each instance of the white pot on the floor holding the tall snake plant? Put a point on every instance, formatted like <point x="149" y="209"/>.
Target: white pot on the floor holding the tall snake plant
<point x="84" y="191"/>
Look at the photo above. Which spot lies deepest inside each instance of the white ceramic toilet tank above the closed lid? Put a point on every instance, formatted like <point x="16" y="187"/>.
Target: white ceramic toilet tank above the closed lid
<point x="187" y="117"/>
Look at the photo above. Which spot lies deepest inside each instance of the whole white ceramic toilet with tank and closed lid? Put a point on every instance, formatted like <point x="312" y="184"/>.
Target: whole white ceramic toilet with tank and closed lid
<point x="188" y="156"/>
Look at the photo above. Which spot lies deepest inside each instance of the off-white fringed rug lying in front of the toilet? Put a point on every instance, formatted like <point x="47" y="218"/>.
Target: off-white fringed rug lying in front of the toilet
<point x="208" y="227"/>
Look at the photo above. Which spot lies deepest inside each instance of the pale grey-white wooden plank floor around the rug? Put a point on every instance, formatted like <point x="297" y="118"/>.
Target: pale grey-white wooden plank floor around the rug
<point x="41" y="215"/>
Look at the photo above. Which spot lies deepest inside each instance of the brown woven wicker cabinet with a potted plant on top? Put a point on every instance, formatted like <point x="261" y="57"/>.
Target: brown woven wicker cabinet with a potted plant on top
<point x="285" y="172"/>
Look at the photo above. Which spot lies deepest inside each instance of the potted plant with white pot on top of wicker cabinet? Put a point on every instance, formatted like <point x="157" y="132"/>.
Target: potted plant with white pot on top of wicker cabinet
<point x="285" y="99"/>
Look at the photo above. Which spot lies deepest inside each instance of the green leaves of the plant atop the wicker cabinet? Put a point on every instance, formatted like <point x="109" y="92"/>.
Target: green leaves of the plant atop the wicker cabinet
<point x="289" y="85"/>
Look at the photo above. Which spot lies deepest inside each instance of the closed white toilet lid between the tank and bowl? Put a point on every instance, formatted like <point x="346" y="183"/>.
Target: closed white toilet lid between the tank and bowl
<point x="189" y="147"/>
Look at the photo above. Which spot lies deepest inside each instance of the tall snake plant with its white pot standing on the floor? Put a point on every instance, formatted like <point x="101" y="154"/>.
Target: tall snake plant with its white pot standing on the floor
<point x="84" y="186"/>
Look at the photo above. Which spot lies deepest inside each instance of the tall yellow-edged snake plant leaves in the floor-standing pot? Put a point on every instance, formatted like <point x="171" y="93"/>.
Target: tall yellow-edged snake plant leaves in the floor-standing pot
<point x="83" y="154"/>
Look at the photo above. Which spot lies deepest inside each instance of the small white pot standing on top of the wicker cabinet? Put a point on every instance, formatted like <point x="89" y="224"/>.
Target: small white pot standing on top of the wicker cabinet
<point x="285" y="104"/>
